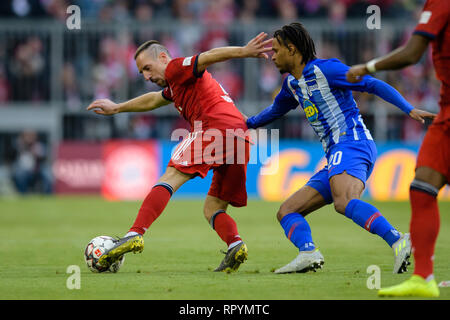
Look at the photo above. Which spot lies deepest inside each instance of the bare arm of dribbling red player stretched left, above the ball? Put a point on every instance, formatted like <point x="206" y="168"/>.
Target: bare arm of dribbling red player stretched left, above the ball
<point x="145" y="102"/>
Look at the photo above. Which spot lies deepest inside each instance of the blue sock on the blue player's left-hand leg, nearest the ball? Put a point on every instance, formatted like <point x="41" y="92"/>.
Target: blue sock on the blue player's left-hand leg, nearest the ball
<point x="297" y="230"/>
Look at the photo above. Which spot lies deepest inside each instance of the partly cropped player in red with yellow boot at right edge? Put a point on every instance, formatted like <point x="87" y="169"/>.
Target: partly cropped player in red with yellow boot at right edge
<point x="433" y="161"/>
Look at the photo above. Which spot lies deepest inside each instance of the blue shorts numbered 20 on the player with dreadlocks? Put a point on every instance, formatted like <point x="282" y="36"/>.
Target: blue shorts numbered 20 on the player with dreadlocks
<point x="356" y="158"/>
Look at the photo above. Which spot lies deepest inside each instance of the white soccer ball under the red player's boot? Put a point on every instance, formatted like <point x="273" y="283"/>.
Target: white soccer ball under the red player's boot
<point x="95" y="249"/>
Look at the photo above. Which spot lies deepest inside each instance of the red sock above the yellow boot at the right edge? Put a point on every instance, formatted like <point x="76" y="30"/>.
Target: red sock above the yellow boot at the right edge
<point x="424" y="231"/>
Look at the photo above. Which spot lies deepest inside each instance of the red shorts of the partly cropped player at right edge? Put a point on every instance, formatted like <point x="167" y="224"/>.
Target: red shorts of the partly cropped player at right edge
<point x="435" y="149"/>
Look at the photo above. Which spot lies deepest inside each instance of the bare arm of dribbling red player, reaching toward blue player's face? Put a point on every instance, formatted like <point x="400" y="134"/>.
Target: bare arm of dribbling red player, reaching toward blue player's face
<point x="255" y="48"/>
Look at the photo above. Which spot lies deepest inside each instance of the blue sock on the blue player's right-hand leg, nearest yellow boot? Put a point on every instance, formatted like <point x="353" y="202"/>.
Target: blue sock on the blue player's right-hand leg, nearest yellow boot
<point x="367" y="216"/>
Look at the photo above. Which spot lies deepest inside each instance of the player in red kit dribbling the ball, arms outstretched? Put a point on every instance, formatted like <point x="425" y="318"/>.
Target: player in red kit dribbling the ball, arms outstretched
<point x="215" y="121"/>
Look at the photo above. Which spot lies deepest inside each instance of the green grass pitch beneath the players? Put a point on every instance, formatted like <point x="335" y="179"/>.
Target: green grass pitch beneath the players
<point x="41" y="237"/>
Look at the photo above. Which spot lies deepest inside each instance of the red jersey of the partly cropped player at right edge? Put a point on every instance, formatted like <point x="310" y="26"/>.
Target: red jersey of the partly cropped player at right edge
<point x="434" y="23"/>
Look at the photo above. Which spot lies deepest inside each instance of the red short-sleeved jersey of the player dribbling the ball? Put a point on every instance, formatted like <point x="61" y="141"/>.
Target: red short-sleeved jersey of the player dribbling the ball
<point x="198" y="97"/>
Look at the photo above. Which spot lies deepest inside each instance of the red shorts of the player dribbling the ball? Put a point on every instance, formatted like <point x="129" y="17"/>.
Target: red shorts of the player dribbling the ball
<point x="227" y="156"/>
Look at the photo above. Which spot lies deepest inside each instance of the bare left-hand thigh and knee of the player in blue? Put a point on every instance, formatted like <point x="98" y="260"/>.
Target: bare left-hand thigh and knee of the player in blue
<point x="303" y="201"/>
